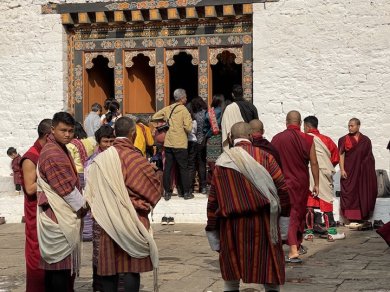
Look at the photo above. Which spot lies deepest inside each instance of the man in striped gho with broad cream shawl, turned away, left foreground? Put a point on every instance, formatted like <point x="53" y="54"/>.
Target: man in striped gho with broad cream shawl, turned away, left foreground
<point x="122" y="189"/>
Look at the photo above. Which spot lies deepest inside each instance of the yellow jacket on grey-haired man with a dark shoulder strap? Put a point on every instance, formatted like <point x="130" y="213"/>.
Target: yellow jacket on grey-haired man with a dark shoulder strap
<point x="180" y="125"/>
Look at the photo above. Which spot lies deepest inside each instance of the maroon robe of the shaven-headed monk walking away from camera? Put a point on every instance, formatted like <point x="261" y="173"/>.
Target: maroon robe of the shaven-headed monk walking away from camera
<point x="294" y="149"/>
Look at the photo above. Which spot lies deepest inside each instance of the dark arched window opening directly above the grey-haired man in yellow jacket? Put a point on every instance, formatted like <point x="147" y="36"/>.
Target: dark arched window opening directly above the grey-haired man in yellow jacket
<point x="183" y="74"/>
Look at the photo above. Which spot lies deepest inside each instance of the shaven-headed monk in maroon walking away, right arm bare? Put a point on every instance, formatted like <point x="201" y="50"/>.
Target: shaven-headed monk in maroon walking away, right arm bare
<point x="296" y="150"/>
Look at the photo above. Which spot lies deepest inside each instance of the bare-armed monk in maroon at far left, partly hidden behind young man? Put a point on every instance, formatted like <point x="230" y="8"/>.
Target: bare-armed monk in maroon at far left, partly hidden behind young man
<point x="35" y="277"/>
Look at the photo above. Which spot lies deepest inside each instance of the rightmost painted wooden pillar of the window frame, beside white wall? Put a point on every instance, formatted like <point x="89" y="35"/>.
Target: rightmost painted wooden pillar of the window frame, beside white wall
<point x="247" y="72"/>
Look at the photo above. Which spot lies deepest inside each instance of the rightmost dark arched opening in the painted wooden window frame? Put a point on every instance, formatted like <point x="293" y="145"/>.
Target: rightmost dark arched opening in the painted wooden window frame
<point x="226" y="72"/>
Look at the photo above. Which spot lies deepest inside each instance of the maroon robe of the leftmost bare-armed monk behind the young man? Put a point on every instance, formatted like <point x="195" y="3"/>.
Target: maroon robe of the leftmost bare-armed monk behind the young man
<point x="35" y="277"/>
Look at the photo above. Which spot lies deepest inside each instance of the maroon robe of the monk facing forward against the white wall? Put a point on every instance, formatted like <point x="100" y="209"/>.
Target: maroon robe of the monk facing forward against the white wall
<point x="360" y="189"/>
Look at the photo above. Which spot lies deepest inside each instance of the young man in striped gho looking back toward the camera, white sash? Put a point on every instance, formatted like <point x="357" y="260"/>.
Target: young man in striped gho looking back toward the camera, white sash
<point x="60" y="207"/>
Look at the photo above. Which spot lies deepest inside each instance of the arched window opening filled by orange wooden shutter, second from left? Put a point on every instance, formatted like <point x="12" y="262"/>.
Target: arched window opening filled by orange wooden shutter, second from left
<point x="140" y="85"/>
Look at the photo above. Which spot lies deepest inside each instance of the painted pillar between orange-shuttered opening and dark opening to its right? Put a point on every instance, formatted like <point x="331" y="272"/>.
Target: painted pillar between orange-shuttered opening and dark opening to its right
<point x="160" y="78"/>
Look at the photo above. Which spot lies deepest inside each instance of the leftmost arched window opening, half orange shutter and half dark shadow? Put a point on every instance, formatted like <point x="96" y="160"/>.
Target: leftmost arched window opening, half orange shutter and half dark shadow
<point x="99" y="85"/>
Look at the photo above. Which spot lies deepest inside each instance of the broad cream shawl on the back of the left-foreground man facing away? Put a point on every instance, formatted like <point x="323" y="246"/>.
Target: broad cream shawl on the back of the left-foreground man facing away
<point x="107" y="195"/>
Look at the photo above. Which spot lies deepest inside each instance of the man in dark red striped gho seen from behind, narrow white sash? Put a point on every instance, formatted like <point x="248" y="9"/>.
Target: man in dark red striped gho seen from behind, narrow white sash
<point x="247" y="196"/>
